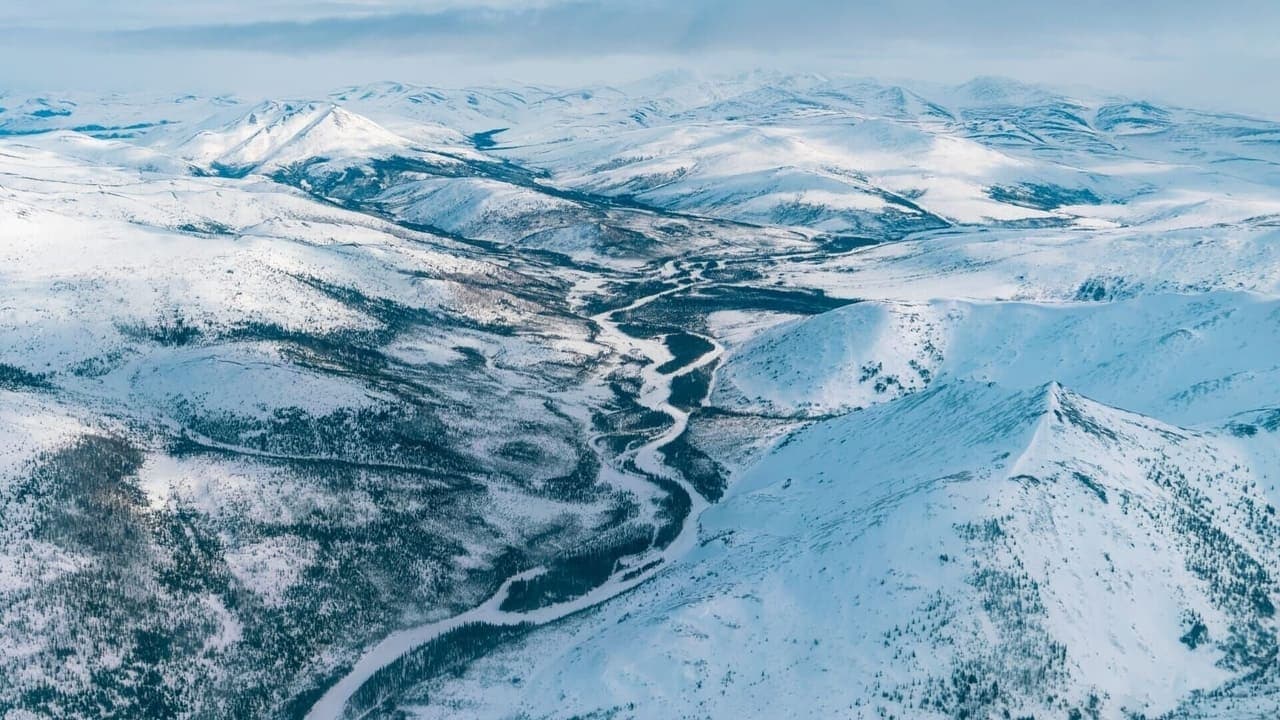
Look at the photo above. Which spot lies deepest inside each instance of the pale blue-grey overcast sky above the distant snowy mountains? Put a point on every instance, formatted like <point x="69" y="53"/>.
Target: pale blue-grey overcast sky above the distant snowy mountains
<point x="1219" y="54"/>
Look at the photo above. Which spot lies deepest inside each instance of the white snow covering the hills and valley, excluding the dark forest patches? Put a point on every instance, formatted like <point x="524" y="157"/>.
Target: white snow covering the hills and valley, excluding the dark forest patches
<point x="1039" y="446"/>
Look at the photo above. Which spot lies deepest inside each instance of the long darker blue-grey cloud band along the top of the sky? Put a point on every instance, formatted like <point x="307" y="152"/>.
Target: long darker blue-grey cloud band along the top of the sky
<point x="670" y="26"/>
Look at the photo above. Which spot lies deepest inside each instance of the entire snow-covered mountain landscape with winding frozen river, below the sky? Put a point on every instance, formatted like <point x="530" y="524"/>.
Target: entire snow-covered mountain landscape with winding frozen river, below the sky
<point x="757" y="397"/>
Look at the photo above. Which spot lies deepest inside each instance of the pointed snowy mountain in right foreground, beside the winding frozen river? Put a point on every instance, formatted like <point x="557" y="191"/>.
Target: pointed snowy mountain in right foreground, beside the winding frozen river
<point x="966" y="552"/>
